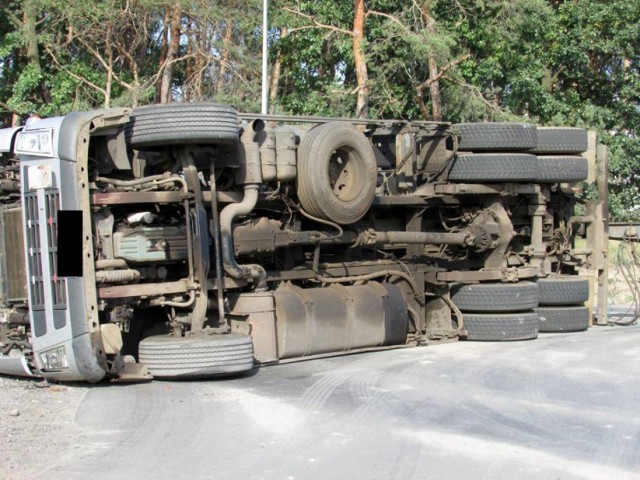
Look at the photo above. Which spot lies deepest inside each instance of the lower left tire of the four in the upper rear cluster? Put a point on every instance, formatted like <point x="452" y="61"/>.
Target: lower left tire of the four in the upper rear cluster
<point x="494" y="167"/>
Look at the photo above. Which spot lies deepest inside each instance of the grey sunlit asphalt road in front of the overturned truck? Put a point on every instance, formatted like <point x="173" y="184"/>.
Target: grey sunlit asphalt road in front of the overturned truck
<point x="563" y="406"/>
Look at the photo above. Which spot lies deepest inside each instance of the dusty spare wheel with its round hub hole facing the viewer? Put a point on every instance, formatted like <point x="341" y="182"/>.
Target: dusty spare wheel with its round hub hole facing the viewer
<point x="336" y="173"/>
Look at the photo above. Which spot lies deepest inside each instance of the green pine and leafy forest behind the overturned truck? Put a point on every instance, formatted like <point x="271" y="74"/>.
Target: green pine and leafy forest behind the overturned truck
<point x="551" y="62"/>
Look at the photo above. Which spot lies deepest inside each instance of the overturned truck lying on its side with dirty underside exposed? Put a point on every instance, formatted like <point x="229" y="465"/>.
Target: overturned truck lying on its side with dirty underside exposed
<point x="189" y="240"/>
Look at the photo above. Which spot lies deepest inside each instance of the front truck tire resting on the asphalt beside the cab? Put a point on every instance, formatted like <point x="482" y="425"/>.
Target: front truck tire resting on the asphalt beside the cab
<point x="196" y="357"/>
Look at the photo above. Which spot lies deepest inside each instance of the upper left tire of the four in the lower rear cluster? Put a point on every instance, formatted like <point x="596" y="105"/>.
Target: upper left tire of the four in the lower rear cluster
<point x="495" y="297"/>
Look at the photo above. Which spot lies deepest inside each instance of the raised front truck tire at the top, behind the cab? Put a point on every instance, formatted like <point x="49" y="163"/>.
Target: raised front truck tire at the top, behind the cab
<point x="182" y="124"/>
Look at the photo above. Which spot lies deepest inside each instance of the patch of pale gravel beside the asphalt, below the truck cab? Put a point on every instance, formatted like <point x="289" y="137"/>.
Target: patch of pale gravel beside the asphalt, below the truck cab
<point x="36" y="424"/>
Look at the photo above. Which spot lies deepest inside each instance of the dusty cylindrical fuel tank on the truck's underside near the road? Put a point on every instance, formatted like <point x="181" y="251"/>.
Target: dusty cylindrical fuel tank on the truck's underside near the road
<point x="312" y="321"/>
